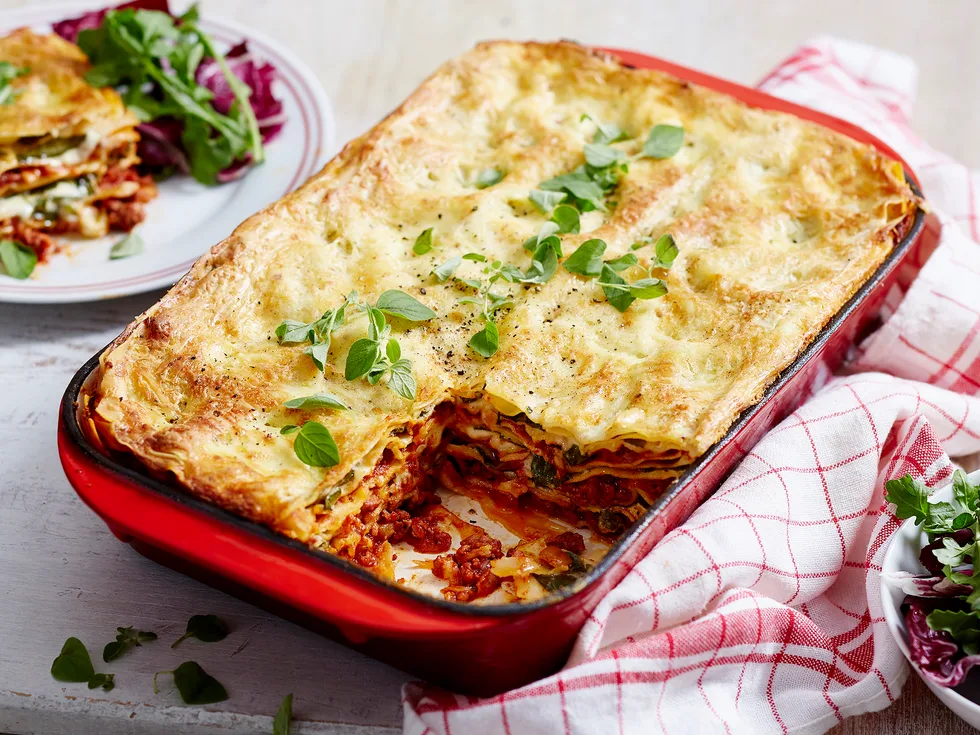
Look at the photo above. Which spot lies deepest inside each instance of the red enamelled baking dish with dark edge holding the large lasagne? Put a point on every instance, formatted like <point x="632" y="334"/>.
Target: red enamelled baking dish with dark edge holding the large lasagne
<point x="467" y="648"/>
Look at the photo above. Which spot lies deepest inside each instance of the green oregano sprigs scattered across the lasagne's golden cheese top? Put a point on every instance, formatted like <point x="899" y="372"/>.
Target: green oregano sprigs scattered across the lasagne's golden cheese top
<point x="376" y="356"/>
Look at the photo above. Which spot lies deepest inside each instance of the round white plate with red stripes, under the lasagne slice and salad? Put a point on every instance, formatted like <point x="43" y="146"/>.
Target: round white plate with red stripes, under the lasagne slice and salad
<point x="187" y="218"/>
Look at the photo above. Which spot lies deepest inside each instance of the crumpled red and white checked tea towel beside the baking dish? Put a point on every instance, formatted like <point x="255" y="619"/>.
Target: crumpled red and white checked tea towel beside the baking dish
<point x="762" y="613"/>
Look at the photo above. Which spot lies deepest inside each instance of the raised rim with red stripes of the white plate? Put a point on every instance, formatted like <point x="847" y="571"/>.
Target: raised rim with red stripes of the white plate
<point x="319" y="131"/>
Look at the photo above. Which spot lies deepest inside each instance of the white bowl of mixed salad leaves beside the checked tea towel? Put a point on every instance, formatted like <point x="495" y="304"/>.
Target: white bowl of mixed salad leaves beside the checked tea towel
<point x="929" y="593"/>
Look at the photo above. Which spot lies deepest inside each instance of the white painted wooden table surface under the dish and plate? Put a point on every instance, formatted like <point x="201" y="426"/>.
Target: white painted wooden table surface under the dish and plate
<point x="62" y="573"/>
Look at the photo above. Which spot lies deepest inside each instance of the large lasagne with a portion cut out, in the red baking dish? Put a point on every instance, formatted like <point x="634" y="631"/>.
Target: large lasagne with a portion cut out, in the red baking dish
<point x="585" y="413"/>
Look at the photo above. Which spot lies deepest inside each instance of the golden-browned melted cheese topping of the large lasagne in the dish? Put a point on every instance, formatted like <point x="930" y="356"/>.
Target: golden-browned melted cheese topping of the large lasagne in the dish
<point x="778" y="221"/>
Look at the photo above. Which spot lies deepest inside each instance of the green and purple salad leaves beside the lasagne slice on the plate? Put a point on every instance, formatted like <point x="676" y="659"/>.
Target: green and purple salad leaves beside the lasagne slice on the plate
<point x="202" y="112"/>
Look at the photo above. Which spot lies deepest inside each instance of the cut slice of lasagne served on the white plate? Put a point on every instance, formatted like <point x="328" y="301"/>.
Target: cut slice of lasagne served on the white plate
<point x="67" y="149"/>
